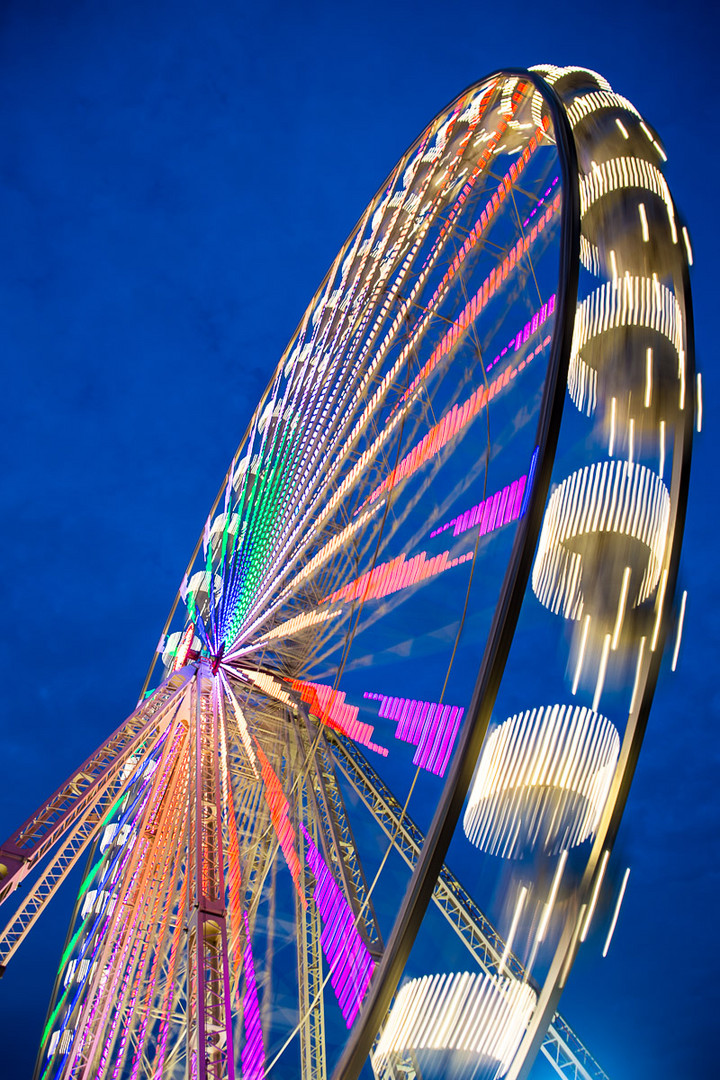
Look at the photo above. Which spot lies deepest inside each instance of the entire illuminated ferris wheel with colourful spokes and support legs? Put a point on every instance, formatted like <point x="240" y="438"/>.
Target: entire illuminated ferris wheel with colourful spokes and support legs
<point x="362" y="819"/>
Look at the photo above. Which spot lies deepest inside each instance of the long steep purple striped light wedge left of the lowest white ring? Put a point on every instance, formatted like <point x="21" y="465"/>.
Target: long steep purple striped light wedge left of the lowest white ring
<point x="351" y="965"/>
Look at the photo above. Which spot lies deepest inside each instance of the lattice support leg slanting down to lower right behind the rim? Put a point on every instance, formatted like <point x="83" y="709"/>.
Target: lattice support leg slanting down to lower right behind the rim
<point x="568" y="1057"/>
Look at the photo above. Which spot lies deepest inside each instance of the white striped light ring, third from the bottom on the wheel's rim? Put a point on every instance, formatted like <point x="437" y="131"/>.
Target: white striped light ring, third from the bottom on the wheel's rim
<point x="606" y="497"/>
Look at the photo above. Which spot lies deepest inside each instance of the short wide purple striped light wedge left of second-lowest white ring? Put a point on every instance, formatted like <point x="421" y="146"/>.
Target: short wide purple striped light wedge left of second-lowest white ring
<point x="427" y="725"/>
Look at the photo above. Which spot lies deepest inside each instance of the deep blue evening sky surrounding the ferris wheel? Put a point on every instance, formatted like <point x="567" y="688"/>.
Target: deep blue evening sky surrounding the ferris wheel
<point x="175" y="180"/>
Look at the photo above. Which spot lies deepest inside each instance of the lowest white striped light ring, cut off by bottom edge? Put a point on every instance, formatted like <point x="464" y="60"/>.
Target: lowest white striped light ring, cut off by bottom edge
<point x="459" y="1012"/>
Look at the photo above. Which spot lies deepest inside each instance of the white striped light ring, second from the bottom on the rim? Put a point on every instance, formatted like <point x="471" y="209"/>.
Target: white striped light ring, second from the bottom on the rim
<point x="542" y="781"/>
